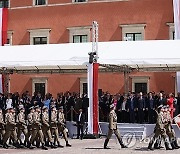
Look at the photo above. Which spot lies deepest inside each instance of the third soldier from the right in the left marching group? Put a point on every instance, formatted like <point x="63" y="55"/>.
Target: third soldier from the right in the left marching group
<point x="46" y="126"/>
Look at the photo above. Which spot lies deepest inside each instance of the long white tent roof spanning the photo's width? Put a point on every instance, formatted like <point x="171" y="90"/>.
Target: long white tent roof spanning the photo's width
<point x="141" y="54"/>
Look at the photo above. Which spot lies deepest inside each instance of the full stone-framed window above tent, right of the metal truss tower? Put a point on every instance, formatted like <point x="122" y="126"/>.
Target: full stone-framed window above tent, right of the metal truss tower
<point x="133" y="32"/>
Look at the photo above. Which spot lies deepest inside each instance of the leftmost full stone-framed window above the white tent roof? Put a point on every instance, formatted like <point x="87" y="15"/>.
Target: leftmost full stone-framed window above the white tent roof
<point x="39" y="36"/>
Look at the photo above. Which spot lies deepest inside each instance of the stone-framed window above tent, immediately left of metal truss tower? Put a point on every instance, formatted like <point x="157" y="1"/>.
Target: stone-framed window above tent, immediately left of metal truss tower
<point x="79" y="34"/>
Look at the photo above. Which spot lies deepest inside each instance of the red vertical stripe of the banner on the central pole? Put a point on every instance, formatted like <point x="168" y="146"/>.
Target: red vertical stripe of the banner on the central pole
<point x="95" y="98"/>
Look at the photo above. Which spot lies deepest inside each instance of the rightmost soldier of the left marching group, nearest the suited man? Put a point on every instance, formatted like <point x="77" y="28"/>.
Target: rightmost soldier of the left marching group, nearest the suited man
<point x="62" y="126"/>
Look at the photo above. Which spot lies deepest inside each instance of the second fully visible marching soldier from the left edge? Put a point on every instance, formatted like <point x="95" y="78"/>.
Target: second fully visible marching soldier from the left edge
<point x="22" y="127"/>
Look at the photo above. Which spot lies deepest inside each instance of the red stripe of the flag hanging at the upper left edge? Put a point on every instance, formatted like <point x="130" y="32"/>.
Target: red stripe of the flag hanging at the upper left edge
<point x="4" y="25"/>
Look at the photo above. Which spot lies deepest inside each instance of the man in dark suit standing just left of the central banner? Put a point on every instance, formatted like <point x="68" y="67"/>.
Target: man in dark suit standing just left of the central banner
<point x="80" y="124"/>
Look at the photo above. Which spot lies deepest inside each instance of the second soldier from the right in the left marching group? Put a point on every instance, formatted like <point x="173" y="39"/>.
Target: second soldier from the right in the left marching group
<point x="53" y="124"/>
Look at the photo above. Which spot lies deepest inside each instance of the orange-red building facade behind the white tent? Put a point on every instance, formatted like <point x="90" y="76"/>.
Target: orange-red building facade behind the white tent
<point x="32" y="22"/>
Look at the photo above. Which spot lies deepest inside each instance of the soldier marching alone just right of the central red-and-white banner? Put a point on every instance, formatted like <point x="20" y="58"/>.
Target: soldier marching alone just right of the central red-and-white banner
<point x="113" y="128"/>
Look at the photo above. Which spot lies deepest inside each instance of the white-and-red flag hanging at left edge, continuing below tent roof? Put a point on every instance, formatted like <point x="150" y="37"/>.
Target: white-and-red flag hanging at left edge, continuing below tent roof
<point x="3" y="36"/>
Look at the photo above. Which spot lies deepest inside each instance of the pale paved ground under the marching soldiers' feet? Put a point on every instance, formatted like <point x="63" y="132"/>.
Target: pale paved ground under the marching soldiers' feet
<point x="93" y="146"/>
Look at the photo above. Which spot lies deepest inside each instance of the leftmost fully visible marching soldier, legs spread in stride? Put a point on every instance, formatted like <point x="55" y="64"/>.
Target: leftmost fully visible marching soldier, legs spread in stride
<point x="10" y="129"/>
